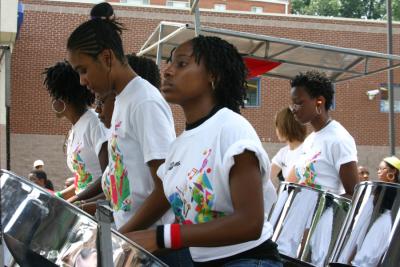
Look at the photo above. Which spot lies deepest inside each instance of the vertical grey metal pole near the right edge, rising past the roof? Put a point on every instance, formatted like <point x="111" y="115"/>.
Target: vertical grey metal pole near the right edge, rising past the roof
<point x="392" y="134"/>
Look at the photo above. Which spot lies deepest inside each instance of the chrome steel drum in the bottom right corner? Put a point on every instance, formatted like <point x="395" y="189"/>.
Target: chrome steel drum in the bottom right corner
<point x="371" y="233"/>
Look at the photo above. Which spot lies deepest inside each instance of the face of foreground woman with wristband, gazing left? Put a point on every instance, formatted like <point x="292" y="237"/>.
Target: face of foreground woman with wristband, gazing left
<point x="185" y="81"/>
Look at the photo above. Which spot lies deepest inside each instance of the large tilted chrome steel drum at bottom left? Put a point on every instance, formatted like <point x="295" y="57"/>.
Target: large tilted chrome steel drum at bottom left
<point x="57" y="231"/>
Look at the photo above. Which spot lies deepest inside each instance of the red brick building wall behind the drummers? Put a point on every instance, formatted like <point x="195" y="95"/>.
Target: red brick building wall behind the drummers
<point x="36" y="133"/>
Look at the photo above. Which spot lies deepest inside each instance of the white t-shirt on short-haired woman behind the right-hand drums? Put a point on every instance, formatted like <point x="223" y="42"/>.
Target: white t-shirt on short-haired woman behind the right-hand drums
<point x="323" y="154"/>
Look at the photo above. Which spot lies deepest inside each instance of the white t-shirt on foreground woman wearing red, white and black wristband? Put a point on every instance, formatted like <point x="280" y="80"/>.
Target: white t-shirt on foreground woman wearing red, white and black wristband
<point x="196" y="176"/>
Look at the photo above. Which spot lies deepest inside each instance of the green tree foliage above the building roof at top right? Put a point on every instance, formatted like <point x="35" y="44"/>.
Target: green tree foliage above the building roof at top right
<point x="365" y="9"/>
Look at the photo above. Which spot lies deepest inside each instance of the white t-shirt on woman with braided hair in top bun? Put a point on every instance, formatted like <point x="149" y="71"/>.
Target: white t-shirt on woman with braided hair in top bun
<point x="142" y="130"/>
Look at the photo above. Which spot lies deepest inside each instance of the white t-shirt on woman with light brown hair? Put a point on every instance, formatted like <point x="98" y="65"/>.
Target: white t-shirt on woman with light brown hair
<point x="286" y="158"/>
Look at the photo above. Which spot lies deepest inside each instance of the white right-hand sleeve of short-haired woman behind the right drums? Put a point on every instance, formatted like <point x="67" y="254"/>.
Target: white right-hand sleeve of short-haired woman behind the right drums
<point x="344" y="151"/>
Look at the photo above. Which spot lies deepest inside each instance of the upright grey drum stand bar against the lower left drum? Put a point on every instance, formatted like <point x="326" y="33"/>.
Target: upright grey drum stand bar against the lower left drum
<point x="104" y="215"/>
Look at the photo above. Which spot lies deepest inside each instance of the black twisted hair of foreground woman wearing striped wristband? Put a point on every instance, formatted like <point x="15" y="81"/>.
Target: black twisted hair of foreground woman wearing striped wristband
<point x="225" y="63"/>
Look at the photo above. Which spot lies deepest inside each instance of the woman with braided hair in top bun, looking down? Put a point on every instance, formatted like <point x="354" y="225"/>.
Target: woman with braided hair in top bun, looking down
<point x="142" y="126"/>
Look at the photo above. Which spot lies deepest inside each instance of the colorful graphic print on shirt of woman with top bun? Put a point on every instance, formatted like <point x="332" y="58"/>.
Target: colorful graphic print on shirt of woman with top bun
<point x="117" y="178"/>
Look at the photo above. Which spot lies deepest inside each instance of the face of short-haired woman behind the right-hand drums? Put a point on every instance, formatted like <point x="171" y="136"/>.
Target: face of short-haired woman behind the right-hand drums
<point x="303" y="106"/>
